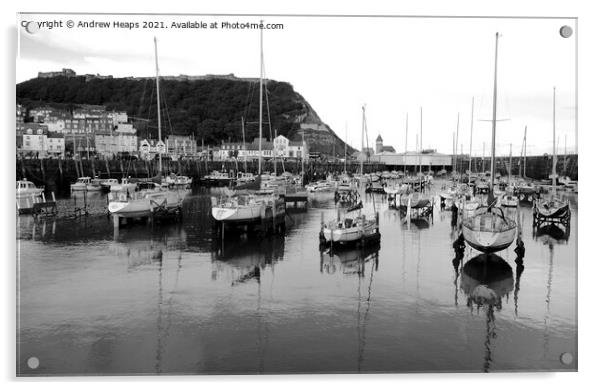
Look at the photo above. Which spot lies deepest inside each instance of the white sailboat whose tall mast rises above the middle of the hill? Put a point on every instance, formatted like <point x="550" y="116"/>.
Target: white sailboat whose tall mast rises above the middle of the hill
<point x="244" y="203"/>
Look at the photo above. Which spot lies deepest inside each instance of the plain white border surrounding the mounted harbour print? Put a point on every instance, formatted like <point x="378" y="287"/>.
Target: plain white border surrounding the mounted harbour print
<point x="590" y="146"/>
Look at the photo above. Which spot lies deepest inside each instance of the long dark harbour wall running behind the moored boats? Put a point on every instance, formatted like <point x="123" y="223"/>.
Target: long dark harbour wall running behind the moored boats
<point x="57" y="174"/>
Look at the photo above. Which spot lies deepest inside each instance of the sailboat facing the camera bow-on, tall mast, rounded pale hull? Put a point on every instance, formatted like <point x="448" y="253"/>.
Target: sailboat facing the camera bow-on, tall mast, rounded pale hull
<point x="488" y="230"/>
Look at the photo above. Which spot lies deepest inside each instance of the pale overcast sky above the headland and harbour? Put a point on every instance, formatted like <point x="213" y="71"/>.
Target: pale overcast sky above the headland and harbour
<point x="393" y="65"/>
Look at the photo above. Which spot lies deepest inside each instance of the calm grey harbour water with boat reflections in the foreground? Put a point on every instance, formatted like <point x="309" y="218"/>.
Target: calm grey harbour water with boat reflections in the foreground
<point x="171" y="299"/>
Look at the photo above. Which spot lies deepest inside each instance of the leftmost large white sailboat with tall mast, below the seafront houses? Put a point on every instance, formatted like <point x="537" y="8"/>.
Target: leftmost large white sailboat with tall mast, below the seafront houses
<point x="127" y="202"/>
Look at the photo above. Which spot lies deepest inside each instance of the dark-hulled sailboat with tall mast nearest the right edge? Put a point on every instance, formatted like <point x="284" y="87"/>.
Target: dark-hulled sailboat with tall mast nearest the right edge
<point x="552" y="208"/>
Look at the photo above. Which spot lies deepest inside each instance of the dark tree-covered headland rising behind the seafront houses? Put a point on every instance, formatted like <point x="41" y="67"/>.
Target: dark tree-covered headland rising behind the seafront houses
<point x="210" y="108"/>
